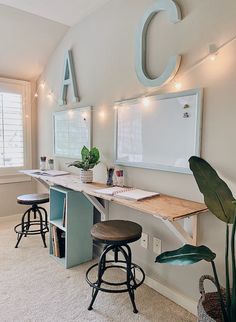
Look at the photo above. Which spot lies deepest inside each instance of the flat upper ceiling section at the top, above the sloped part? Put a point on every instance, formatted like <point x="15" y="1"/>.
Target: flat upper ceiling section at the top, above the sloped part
<point x="67" y="12"/>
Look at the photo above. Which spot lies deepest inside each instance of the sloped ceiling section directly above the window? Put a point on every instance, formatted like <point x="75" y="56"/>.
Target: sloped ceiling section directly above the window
<point x="27" y="41"/>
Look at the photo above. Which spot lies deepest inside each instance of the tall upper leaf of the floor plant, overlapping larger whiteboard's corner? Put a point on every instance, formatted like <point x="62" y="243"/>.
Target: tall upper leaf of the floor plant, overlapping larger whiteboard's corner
<point x="217" y="195"/>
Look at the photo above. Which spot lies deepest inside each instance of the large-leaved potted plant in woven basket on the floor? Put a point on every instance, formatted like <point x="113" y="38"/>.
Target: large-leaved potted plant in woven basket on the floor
<point x="221" y="203"/>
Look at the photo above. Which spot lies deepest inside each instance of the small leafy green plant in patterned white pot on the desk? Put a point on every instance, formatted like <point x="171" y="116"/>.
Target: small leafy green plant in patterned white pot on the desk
<point x="89" y="158"/>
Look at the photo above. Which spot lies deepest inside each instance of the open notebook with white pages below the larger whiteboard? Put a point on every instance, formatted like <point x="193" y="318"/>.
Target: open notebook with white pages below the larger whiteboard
<point x="127" y="193"/>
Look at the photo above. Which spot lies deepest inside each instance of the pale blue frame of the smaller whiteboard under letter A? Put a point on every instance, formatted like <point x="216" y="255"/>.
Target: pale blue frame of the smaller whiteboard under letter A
<point x="88" y="110"/>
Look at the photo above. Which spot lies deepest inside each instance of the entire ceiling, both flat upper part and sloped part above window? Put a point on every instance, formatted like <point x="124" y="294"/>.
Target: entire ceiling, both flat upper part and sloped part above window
<point x="31" y="29"/>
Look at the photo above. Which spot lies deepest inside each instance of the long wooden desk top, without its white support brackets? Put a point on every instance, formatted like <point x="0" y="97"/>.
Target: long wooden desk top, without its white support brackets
<point x="162" y="206"/>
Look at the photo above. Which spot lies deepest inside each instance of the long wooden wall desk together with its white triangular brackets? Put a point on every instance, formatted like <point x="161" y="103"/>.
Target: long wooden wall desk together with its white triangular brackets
<point x="179" y="215"/>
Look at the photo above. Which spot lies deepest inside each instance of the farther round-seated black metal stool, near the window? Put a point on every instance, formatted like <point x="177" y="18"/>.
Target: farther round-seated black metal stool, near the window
<point x="25" y="227"/>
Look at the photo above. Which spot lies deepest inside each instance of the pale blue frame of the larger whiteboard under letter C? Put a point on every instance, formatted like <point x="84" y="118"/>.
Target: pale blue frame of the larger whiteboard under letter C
<point x="198" y="130"/>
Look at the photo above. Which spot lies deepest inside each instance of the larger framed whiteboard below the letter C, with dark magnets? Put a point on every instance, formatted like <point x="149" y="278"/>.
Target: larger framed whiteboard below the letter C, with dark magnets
<point x="159" y="132"/>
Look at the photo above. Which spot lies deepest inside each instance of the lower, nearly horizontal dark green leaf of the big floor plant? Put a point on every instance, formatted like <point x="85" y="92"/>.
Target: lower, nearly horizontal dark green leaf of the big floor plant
<point x="186" y="255"/>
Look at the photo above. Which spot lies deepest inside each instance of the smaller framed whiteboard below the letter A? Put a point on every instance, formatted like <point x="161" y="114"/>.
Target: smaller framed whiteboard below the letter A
<point x="72" y="130"/>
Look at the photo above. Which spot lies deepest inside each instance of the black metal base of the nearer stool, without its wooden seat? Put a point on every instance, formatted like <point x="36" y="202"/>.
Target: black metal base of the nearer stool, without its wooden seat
<point x="130" y="284"/>
